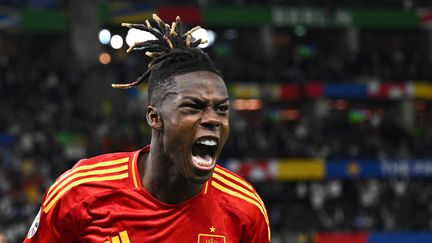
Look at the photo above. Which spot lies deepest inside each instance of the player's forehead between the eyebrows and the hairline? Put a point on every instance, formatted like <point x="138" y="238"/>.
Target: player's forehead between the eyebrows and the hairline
<point x="200" y="83"/>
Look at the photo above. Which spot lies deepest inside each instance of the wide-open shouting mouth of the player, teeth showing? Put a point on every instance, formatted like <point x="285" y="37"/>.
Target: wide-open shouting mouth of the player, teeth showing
<point x="204" y="152"/>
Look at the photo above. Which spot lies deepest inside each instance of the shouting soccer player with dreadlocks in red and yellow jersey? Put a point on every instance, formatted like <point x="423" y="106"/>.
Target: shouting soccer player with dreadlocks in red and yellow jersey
<point x="171" y="190"/>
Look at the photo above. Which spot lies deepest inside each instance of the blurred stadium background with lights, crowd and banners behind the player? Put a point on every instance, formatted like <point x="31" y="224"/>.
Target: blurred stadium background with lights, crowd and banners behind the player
<point x="331" y="100"/>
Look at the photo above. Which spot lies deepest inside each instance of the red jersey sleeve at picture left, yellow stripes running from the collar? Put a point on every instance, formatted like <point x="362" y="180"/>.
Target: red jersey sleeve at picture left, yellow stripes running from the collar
<point x="63" y="210"/>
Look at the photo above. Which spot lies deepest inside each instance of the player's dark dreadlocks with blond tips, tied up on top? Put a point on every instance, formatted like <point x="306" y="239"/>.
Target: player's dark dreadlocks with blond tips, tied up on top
<point x="172" y="53"/>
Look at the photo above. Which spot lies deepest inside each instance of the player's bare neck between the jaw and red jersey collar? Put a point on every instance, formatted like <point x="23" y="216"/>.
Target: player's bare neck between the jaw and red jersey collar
<point x="161" y="179"/>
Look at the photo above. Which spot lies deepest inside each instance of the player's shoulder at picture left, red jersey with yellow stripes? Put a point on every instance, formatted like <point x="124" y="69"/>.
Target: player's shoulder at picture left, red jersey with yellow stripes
<point x="90" y="177"/>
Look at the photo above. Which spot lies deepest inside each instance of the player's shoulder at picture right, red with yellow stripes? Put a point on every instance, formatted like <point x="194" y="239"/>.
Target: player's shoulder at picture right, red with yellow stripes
<point x="236" y="193"/>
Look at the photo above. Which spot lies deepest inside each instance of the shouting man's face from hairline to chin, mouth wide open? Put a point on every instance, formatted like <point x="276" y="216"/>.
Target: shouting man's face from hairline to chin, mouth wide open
<point x="195" y="123"/>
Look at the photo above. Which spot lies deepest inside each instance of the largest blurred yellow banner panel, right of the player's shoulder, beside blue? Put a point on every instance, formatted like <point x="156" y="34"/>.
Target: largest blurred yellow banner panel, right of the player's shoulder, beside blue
<point x="300" y="169"/>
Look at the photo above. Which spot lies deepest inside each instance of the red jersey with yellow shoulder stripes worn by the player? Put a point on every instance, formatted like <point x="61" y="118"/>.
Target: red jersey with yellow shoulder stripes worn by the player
<point x="101" y="199"/>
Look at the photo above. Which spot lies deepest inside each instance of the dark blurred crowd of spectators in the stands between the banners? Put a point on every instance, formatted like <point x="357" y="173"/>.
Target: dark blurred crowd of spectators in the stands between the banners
<point x="44" y="131"/>
